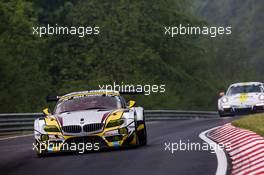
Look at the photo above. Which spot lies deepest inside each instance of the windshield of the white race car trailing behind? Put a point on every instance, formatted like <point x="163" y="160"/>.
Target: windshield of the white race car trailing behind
<point x="244" y="89"/>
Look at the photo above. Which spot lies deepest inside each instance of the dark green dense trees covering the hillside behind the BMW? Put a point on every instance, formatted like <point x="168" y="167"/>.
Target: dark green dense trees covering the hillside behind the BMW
<point x="130" y="49"/>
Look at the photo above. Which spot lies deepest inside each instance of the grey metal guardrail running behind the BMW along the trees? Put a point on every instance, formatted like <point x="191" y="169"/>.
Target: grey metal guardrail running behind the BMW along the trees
<point x="20" y="122"/>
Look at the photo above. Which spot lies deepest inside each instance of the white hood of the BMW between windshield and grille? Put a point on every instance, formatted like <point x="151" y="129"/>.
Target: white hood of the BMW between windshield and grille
<point x="82" y="117"/>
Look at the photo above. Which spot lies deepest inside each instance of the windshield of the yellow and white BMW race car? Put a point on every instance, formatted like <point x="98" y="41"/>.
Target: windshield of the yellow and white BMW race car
<point x="88" y="103"/>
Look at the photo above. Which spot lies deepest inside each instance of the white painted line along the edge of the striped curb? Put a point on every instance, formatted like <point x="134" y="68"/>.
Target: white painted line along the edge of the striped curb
<point x="220" y="154"/>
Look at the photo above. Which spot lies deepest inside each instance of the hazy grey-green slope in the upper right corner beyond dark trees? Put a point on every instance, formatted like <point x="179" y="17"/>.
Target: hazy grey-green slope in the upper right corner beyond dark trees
<point x="246" y="18"/>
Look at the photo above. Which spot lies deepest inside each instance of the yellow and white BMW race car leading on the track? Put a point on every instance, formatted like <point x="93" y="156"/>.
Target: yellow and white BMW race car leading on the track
<point x="89" y="121"/>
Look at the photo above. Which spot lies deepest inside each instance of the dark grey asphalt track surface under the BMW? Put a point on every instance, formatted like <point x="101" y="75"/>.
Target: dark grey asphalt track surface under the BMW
<point x="17" y="157"/>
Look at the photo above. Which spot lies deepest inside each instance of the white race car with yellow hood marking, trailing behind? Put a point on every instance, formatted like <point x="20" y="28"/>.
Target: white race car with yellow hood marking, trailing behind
<point x="242" y="98"/>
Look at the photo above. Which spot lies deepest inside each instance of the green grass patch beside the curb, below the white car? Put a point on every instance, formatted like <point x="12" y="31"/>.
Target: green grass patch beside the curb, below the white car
<point x="254" y="123"/>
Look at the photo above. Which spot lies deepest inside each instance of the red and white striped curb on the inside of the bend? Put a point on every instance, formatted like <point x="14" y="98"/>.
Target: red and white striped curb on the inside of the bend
<point x="245" y="148"/>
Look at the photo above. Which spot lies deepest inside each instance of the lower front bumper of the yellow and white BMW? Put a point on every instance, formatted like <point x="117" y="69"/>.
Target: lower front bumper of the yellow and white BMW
<point x="110" y="138"/>
